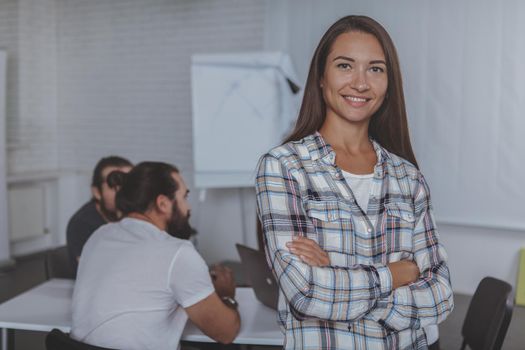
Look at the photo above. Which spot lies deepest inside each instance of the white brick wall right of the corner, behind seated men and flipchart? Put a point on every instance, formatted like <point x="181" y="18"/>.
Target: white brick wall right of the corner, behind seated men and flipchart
<point x="124" y="88"/>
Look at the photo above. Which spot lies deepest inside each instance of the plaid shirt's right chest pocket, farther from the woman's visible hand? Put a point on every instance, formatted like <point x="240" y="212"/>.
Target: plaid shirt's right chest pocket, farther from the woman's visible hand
<point x="399" y="221"/>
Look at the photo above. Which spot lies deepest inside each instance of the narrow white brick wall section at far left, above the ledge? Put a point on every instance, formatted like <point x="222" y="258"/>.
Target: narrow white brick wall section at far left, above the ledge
<point x="30" y="41"/>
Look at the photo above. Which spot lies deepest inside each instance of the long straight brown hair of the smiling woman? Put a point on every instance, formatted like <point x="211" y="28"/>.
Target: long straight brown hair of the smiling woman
<point x="388" y="125"/>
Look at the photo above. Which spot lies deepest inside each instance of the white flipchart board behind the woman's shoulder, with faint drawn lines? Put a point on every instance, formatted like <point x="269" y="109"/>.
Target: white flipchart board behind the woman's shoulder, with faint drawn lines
<point x="243" y="105"/>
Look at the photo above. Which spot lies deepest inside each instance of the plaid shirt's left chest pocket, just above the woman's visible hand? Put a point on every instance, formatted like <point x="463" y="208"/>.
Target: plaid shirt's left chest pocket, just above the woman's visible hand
<point x="332" y="221"/>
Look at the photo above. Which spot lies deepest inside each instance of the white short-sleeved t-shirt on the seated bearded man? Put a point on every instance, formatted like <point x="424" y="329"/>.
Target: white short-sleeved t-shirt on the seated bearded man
<point x="132" y="284"/>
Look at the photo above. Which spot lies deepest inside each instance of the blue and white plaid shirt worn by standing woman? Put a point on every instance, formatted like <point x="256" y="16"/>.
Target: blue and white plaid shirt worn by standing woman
<point x="351" y="304"/>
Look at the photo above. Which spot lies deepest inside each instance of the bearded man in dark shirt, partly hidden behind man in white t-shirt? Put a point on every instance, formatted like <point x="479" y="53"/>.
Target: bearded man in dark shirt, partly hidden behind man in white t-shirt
<point x="98" y="211"/>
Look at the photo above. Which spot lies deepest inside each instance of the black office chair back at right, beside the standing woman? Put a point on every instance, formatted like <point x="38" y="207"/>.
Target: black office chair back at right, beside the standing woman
<point x="488" y="315"/>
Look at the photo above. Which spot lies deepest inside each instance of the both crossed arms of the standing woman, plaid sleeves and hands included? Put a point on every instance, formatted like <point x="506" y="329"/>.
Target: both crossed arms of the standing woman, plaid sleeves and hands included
<point x="397" y="295"/>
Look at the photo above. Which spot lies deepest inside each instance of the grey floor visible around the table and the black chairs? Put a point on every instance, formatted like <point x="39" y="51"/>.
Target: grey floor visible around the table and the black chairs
<point x="29" y="271"/>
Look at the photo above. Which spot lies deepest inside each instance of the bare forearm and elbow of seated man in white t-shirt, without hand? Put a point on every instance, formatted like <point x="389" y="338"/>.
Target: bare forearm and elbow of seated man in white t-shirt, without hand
<point x="215" y="319"/>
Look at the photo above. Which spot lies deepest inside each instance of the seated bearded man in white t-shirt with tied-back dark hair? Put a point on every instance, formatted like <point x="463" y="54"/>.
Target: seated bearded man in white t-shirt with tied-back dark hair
<point x="137" y="284"/>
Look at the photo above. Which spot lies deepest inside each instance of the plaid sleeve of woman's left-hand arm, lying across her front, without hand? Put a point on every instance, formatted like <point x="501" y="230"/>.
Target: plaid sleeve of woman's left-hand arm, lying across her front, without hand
<point x="327" y="293"/>
